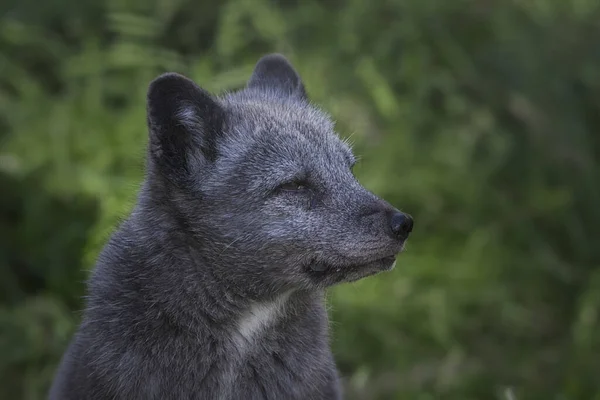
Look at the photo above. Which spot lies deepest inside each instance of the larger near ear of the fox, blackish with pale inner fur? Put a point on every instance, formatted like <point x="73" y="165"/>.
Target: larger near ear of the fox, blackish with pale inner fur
<point x="184" y="123"/>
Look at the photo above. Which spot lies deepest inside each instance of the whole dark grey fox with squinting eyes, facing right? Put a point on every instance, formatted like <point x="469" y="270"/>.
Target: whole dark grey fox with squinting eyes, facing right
<point x="213" y="287"/>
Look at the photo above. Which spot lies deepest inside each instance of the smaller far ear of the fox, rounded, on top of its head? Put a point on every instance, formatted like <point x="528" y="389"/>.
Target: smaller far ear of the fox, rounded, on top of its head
<point x="274" y="72"/>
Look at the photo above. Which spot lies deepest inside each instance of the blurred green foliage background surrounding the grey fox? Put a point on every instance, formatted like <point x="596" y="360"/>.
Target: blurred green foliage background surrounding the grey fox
<point x="478" y="117"/>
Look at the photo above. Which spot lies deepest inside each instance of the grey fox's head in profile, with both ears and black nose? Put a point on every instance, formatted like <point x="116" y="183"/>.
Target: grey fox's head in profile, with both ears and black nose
<point x="262" y="185"/>
